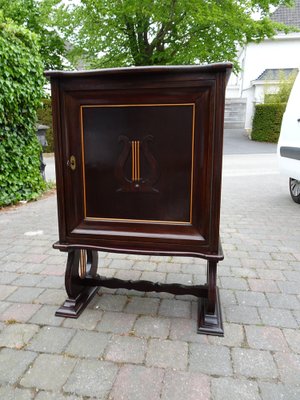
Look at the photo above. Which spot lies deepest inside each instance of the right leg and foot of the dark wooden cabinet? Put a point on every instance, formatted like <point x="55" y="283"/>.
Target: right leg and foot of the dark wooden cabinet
<point x="209" y="309"/>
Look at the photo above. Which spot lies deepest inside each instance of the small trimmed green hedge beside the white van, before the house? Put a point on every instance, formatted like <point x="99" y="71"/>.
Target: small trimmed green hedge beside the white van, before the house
<point x="267" y="122"/>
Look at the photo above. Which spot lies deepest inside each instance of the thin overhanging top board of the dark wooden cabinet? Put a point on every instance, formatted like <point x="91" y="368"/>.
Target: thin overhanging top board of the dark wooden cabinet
<point x="210" y="68"/>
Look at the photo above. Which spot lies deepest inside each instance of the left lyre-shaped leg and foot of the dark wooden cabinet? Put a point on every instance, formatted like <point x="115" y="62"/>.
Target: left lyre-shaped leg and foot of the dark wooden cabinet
<point x="80" y="264"/>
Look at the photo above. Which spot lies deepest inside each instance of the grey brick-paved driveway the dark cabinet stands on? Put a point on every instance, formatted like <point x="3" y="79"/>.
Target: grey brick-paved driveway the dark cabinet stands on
<point x="130" y="345"/>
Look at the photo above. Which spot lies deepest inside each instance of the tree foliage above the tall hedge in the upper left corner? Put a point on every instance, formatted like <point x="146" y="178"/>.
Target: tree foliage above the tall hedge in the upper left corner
<point x="35" y="15"/>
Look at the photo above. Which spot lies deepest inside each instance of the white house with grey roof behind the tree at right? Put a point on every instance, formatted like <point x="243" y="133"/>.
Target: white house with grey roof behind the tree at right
<point x="263" y="63"/>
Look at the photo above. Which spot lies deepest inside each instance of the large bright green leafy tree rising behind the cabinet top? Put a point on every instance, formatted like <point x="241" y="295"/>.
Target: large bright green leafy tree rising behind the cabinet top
<point x="110" y="33"/>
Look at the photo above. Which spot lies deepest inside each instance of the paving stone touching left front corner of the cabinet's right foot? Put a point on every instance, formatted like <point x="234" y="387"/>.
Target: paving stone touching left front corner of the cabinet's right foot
<point x="186" y="330"/>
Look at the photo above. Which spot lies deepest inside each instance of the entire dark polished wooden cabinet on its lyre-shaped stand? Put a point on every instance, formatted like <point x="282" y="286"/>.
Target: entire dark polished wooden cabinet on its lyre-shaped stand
<point x="138" y="170"/>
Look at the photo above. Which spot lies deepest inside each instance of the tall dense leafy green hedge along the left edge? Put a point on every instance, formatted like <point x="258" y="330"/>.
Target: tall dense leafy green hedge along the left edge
<point x="21" y="88"/>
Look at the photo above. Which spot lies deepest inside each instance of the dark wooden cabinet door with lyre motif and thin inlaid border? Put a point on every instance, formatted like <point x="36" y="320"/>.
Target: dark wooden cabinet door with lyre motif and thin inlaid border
<point x="138" y="171"/>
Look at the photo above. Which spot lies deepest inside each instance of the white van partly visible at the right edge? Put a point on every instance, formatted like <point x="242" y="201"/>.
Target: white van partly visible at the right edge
<point x="288" y="148"/>
